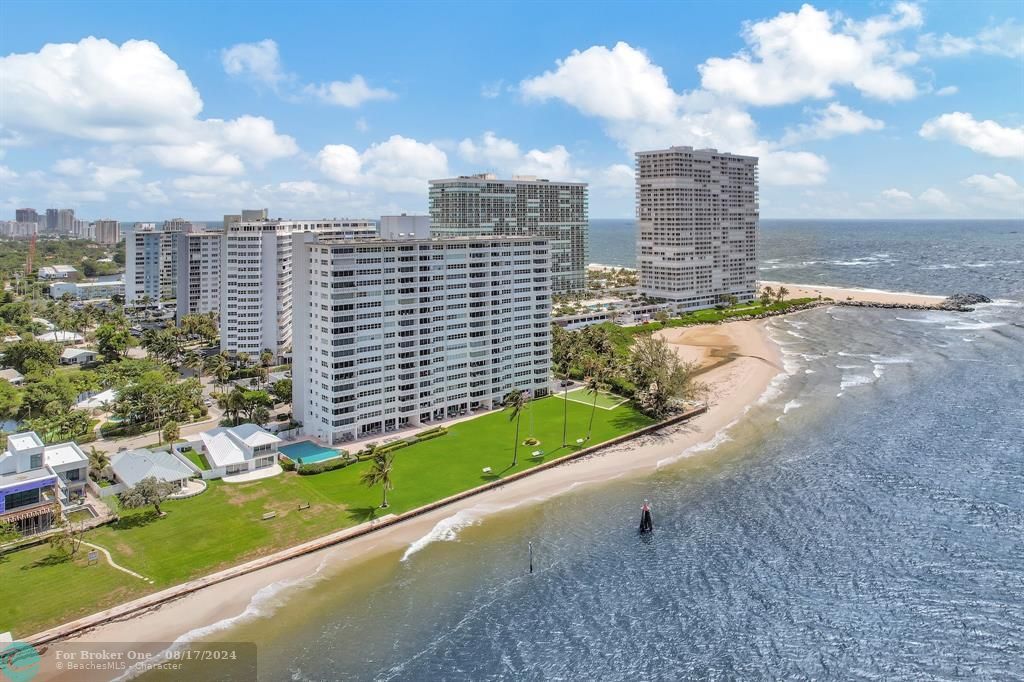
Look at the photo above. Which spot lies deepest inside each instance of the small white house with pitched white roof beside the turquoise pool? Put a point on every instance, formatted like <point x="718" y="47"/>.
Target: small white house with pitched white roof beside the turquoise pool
<point x="236" y="450"/>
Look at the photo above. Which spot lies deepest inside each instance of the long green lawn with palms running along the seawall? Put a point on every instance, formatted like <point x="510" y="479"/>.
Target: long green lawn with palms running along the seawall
<point x="223" y="527"/>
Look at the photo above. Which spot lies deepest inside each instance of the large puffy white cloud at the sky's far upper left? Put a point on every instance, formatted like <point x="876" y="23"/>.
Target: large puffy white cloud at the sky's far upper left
<point x="135" y="96"/>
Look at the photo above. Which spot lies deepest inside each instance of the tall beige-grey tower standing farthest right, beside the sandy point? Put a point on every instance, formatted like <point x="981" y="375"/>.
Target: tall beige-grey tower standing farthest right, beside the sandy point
<point x="697" y="226"/>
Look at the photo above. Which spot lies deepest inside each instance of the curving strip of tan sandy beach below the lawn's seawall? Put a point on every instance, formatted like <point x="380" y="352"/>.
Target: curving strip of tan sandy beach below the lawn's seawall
<point x="737" y="382"/>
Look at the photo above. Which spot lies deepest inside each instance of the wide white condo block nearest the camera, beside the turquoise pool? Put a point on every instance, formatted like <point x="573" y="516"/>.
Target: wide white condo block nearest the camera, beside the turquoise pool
<point x="399" y="333"/>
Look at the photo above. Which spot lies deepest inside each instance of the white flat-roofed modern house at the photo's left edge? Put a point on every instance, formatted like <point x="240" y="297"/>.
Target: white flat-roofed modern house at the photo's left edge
<point x="38" y="483"/>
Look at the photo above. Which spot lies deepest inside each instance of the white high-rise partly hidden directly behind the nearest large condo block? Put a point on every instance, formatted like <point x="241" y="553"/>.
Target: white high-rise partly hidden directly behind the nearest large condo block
<point x="257" y="280"/>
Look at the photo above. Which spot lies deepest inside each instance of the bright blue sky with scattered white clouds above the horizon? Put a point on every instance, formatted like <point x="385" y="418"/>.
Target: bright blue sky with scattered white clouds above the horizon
<point x="148" y="111"/>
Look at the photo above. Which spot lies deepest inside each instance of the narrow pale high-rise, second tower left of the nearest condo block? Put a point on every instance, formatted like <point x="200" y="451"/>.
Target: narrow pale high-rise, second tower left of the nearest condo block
<point x="200" y="260"/>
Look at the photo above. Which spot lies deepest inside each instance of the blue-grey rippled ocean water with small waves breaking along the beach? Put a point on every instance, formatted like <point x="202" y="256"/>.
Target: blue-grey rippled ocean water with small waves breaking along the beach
<point x="866" y="520"/>
